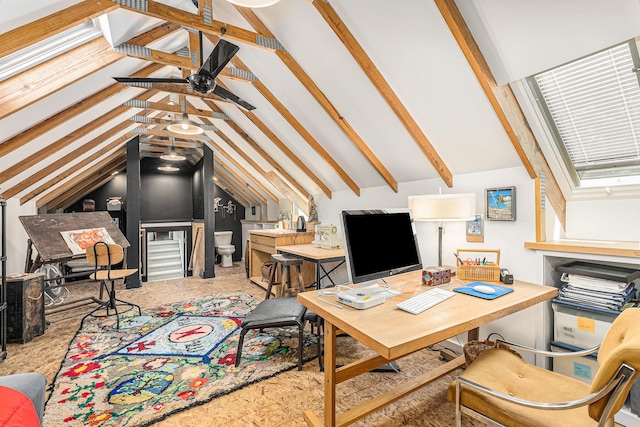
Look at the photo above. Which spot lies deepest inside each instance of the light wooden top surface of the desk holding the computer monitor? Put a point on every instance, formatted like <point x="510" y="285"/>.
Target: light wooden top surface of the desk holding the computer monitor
<point x="394" y="333"/>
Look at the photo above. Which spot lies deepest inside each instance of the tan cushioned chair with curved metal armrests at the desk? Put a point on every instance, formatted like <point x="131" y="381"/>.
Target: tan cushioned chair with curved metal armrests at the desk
<point x="502" y="389"/>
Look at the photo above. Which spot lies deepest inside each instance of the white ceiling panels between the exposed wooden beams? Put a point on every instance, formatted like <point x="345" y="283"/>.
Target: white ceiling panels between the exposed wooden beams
<point x="409" y="43"/>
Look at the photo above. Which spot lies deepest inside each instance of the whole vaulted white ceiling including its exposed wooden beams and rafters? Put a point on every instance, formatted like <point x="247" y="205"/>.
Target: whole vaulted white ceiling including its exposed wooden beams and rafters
<point x="348" y="95"/>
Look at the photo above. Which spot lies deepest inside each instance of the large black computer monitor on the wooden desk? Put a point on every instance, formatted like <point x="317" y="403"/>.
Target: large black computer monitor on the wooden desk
<point x="379" y="243"/>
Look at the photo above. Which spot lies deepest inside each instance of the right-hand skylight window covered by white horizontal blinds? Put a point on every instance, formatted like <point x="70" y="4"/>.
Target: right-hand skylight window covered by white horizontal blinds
<point x="592" y="107"/>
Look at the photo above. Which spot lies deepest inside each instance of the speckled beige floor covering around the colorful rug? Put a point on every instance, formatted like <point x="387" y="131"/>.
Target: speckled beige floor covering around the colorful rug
<point x="277" y="401"/>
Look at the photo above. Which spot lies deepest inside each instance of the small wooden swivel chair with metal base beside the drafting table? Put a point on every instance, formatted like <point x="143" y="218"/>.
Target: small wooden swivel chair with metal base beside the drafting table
<point x="103" y="256"/>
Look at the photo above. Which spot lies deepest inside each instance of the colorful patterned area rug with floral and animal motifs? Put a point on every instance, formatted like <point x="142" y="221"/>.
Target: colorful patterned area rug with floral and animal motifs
<point x="169" y="359"/>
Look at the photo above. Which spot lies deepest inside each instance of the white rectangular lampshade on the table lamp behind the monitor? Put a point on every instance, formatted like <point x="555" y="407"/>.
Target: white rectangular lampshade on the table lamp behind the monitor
<point x="443" y="207"/>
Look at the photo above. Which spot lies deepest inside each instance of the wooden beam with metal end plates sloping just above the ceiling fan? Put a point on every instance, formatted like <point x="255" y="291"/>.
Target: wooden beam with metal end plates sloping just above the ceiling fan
<point x="200" y="23"/>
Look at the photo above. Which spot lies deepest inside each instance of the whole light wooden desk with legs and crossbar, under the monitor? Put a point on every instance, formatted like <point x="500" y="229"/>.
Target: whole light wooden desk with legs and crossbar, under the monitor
<point x="394" y="333"/>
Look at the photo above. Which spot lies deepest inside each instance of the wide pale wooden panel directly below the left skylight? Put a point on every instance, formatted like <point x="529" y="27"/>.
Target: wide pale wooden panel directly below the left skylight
<point x="55" y="74"/>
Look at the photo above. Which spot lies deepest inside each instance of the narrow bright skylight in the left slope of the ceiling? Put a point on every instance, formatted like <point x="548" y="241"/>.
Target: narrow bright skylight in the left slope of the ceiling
<point x="38" y="53"/>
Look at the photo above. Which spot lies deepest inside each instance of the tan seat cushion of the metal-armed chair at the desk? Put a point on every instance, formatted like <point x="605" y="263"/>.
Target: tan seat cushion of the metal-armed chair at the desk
<point x="506" y="373"/>
